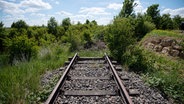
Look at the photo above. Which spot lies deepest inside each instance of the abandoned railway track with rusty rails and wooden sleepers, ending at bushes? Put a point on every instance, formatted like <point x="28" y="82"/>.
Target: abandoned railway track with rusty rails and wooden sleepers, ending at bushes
<point x="89" y="81"/>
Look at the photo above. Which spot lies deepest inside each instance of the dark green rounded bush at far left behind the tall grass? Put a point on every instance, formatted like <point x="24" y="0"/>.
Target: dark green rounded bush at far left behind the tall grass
<point x="21" y="48"/>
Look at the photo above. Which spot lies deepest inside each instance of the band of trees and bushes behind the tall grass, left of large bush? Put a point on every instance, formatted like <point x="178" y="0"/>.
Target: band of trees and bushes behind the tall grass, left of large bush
<point x="22" y="42"/>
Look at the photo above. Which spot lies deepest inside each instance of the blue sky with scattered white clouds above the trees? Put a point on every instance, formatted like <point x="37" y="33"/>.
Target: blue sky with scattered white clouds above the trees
<point x="38" y="12"/>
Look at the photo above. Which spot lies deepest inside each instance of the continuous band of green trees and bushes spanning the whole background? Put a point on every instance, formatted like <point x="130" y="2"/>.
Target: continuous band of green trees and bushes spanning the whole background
<point x="22" y="42"/>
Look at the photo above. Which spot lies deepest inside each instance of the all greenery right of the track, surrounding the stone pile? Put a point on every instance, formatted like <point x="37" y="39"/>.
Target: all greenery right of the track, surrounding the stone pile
<point x="159" y="71"/>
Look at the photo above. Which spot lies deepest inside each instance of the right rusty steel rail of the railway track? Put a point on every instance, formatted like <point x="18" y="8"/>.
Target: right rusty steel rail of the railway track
<point x="123" y="92"/>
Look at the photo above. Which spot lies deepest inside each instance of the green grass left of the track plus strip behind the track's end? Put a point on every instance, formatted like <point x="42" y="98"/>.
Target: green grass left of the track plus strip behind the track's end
<point x="20" y="83"/>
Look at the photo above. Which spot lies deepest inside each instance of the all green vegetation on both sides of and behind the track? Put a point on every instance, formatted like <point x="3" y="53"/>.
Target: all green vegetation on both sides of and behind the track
<point x="27" y="52"/>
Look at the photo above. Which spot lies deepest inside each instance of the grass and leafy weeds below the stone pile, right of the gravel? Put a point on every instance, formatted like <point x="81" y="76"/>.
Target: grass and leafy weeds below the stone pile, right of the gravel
<point x="167" y="76"/>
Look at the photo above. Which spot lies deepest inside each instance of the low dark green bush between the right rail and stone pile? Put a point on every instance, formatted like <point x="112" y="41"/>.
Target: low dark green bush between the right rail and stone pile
<point x="138" y="60"/>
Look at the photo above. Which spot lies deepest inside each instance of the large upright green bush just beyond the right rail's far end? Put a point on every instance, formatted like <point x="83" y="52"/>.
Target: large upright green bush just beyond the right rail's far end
<point x="119" y="37"/>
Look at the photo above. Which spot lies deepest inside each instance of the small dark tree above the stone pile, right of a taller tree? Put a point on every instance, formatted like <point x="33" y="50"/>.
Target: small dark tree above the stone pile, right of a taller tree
<point x="166" y="22"/>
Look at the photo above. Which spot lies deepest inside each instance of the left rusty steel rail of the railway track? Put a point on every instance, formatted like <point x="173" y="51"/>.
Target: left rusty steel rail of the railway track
<point x="55" y="92"/>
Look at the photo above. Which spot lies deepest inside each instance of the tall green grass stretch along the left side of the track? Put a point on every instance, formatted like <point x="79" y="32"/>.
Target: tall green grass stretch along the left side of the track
<point x="18" y="81"/>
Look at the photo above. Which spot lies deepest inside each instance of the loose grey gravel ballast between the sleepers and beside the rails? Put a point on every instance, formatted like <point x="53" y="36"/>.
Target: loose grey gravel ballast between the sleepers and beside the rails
<point x="147" y="95"/>
